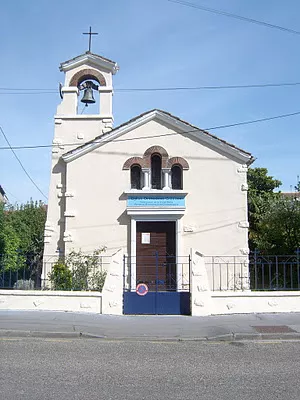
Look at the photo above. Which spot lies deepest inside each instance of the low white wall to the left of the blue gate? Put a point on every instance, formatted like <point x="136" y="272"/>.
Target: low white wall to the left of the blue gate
<point x="51" y="301"/>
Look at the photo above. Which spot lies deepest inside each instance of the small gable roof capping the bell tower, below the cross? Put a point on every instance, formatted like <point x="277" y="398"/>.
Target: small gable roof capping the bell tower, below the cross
<point x="89" y="57"/>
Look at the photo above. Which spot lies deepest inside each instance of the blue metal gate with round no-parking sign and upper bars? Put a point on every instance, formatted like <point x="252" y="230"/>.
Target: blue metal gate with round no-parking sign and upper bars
<point x="165" y="281"/>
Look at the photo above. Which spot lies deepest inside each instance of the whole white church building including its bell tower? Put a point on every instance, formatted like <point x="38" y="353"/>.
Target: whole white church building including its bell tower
<point x="154" y="187"/>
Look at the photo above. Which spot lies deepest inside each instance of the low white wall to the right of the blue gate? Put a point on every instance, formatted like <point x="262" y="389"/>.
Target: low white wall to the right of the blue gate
<point x="255" y="302"/>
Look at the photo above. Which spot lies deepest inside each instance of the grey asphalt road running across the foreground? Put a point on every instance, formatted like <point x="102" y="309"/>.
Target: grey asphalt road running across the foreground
<point x="35" y="369"/>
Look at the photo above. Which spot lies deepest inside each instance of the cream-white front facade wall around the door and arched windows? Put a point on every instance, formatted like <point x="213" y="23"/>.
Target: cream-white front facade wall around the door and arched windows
<point x="215" y="220"/>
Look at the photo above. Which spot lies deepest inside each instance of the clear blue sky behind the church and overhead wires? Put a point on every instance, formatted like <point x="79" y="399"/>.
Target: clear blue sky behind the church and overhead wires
<point x="156" y="44"/>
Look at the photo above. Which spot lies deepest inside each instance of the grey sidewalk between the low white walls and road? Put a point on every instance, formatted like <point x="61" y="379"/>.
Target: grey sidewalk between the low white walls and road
<point x="76" y="325"/>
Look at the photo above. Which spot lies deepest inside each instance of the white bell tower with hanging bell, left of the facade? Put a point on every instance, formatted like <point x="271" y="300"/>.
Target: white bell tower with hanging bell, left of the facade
<point x="87" y="76"/>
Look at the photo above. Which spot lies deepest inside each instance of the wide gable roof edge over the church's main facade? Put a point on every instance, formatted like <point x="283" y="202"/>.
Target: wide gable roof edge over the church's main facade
<point x="182" y="126"/>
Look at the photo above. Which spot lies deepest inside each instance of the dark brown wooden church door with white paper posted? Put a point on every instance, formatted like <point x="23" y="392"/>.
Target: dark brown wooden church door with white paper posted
<point x="156" y="255"/>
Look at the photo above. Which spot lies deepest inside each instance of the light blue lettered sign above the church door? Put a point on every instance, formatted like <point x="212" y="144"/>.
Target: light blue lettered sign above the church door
<point x="156" y="201"/>
